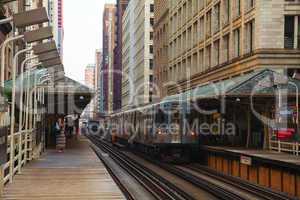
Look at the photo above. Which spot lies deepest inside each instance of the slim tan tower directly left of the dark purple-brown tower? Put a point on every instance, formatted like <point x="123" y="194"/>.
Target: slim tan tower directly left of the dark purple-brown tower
<point x="107" y="71"/>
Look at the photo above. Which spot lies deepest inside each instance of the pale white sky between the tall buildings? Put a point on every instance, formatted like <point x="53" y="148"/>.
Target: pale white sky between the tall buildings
<point x="82" y="34"/>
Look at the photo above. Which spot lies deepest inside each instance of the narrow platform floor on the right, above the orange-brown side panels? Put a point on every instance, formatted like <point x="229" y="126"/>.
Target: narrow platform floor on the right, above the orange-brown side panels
<point x="263" y="154"/>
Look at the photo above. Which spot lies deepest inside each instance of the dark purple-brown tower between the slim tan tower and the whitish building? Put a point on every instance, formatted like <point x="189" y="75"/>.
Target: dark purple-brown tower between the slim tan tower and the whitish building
<point x="117" y="92"/>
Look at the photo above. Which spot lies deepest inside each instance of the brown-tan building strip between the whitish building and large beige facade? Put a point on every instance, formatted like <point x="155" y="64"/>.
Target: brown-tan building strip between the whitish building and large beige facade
<point x="161" y="42"/>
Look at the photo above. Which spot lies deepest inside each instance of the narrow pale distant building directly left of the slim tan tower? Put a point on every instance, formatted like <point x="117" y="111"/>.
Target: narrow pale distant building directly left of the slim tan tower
<point x="98" y="64"/>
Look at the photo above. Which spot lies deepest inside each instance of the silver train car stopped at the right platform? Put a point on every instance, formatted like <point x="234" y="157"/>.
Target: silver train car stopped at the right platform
<point x="159" y="130"/>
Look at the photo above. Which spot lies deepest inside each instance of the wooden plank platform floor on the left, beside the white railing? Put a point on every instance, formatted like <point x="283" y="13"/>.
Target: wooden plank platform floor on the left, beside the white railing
<point x="76" y="174"/>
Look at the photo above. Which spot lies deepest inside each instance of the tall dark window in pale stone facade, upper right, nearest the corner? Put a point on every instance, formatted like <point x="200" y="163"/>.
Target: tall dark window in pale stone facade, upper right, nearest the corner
<point x="289" y="27"/>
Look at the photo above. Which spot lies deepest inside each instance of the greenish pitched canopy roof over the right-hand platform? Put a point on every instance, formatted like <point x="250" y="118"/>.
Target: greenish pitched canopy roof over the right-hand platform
<point x="257" y="83"/>
